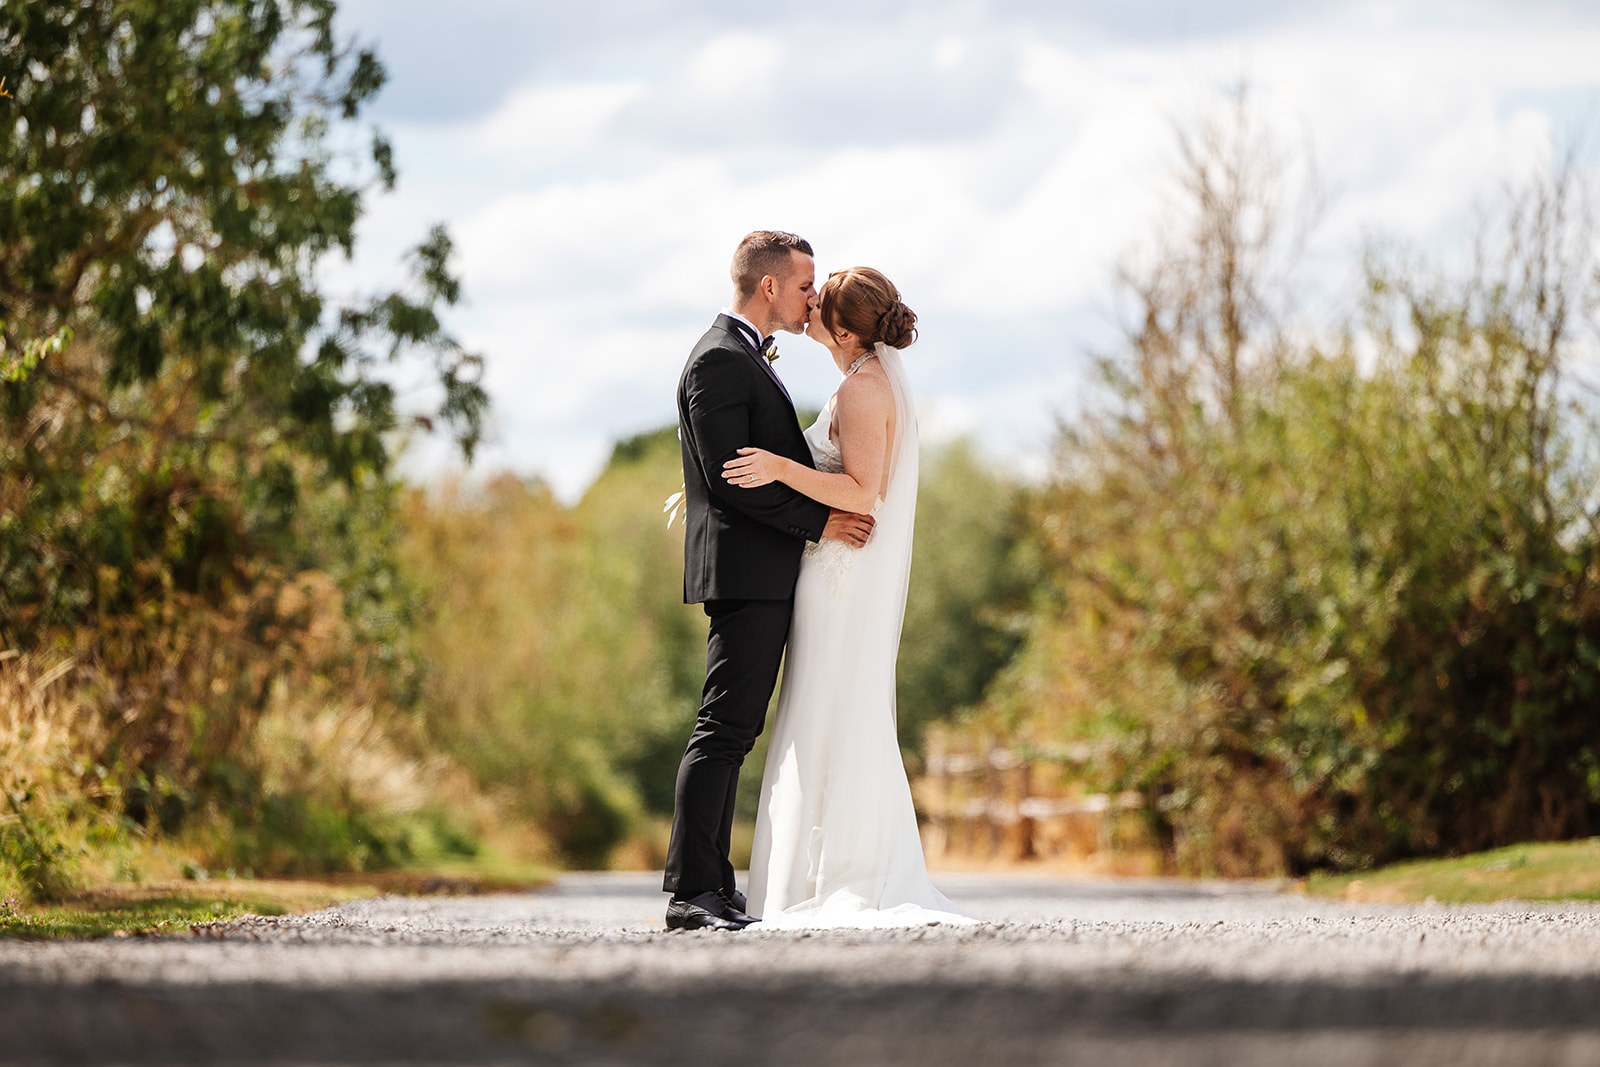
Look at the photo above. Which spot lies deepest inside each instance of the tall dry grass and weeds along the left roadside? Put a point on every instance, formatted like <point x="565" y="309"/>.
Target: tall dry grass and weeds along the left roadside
<point x="335" y="772"/>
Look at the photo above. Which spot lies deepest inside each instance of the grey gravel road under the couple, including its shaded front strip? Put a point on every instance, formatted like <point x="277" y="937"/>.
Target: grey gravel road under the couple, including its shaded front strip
<point x="1100" y="973"/>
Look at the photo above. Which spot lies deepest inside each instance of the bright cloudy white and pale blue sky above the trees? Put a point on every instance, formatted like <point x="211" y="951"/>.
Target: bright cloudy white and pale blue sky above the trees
<point x="598" y="164"/>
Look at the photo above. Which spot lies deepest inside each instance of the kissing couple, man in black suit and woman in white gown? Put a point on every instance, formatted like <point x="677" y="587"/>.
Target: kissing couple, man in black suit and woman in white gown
<point x="801" y="540"/>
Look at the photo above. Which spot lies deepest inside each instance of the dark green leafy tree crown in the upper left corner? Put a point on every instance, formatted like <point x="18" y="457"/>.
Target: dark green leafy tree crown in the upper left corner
<point x="169" y="188"/>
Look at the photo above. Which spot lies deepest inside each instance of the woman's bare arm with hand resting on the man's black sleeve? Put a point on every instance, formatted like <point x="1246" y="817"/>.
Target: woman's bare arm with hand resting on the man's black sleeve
<point x="863" y="415"/>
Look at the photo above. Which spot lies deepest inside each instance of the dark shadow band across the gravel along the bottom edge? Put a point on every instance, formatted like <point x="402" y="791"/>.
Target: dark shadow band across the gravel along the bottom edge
<point x="732" y="1021"/>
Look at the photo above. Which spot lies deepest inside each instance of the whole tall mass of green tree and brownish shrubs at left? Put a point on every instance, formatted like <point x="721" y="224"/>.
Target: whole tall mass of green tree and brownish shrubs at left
<point x="196" y="502"/>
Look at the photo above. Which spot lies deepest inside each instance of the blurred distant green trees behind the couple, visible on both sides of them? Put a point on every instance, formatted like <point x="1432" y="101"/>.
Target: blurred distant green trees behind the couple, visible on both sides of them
<point x="567" y="668"/>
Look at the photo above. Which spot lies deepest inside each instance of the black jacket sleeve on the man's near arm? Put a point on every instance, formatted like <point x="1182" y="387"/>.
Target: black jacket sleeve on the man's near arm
<point x="719" y="410"/>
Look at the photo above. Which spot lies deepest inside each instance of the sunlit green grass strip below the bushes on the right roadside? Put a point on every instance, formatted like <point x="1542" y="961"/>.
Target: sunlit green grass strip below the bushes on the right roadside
<point x="1564" y="871"/>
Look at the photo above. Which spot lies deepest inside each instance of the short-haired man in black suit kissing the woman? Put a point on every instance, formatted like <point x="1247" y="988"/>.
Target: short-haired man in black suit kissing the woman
<point x="742" y="557"/>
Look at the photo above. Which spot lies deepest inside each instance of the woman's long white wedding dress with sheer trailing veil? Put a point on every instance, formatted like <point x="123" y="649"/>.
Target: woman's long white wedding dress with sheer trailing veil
<point x="836" y="834"/>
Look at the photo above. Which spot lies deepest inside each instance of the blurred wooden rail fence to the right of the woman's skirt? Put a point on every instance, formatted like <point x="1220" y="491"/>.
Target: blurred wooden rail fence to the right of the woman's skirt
<point x="999" y="805"/>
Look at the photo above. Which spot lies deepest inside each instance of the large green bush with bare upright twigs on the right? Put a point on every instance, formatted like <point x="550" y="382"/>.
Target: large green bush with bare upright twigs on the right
<point x="1327" y="610"/>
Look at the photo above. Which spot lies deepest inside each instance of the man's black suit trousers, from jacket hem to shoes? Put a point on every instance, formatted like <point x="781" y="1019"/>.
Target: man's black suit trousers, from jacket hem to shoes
<point x="743" y="655"/>
